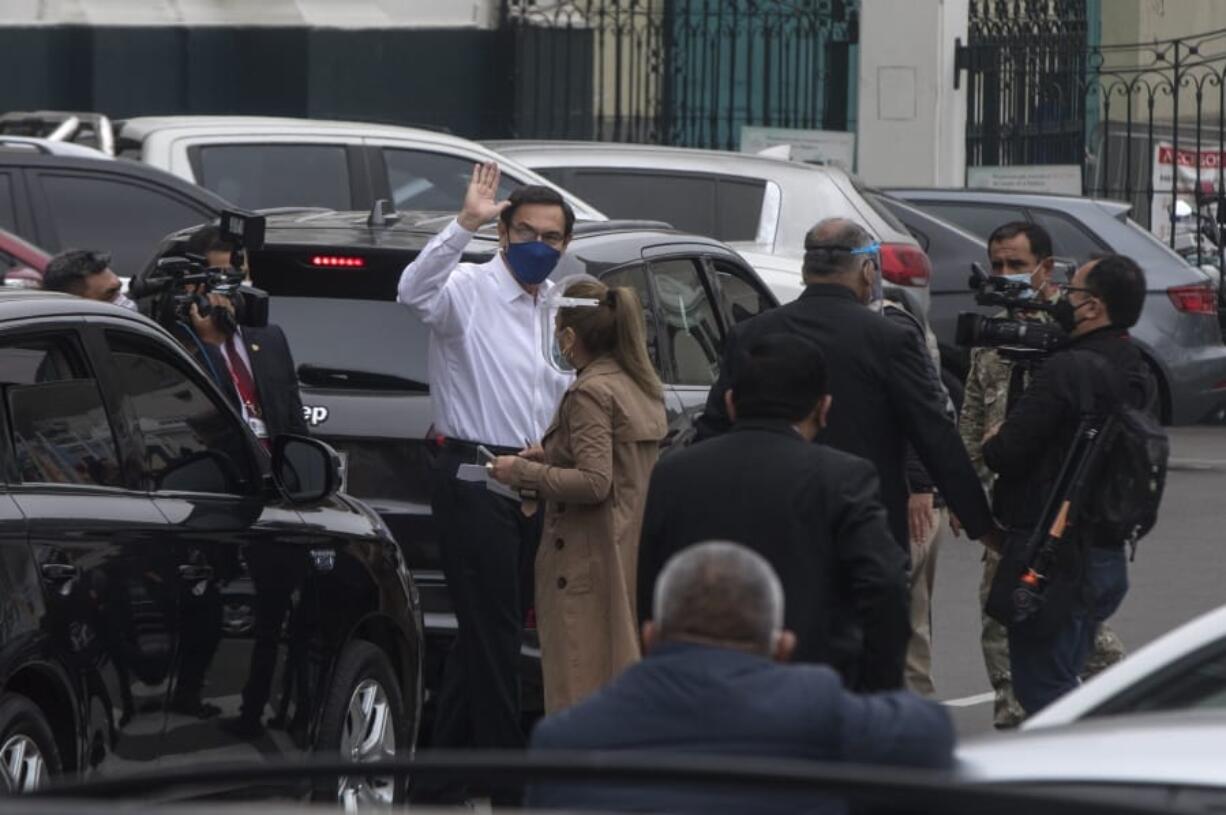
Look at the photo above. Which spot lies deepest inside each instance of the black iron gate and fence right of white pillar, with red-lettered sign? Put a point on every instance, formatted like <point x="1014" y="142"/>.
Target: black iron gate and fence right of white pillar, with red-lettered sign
<point x="1146" y="122"/>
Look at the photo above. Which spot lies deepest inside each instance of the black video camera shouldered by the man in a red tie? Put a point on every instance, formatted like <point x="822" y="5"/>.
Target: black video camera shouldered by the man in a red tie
<point x="182" y="281"/>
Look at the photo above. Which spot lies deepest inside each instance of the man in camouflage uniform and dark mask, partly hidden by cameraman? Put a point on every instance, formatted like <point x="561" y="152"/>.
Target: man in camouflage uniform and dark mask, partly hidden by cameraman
<point x="1019" y="253"/>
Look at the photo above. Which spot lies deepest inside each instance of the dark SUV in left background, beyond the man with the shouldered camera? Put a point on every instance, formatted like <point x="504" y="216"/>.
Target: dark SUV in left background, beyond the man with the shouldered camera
<point x="85" y="203"/>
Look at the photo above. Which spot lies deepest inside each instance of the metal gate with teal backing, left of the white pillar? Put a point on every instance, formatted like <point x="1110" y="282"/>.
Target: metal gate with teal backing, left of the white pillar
<point x="679" y="72"/>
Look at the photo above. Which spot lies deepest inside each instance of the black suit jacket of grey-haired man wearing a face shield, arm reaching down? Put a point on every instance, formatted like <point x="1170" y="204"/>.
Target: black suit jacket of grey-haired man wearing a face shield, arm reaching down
<point x="883" y="398"/>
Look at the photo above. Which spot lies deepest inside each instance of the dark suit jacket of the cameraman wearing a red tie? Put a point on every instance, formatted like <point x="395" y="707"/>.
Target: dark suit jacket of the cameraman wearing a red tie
<point x="276" y="379"/>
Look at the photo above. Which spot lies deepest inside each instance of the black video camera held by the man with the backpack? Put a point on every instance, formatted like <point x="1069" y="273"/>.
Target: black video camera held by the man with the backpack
<point x="1016" y="339"/>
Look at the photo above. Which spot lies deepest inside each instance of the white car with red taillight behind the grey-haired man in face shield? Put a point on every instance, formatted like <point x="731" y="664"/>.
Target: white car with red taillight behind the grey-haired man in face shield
<point x="761" y="207"/>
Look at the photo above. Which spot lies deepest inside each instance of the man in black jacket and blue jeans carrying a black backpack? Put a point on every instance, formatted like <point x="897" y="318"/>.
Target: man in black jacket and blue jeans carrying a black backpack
<point x="1094" y="378"/>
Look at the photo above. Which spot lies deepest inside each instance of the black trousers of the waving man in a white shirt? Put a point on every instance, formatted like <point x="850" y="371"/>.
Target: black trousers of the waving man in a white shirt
<point x="487" y="548"/>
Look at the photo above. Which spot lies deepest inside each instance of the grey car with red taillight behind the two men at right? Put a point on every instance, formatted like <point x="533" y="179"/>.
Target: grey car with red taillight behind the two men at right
<point x="1179" y="332"/>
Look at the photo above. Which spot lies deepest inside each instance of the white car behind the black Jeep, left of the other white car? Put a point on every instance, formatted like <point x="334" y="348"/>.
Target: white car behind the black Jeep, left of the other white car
<point x="259" y="162"/>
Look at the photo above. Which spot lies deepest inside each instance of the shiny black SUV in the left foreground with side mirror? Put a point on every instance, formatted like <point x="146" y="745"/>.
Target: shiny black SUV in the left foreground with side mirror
<point x="161" y="574"/>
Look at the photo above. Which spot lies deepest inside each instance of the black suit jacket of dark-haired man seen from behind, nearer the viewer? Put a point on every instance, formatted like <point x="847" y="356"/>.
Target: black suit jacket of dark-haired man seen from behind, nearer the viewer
<point x="815" y="514"/>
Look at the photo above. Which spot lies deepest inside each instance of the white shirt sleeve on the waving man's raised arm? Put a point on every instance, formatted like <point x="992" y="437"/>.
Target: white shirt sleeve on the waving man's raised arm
<point x="425" y="284"/>
